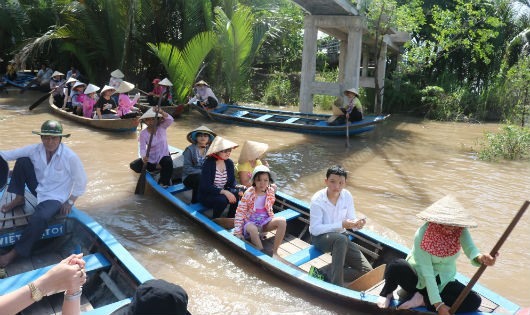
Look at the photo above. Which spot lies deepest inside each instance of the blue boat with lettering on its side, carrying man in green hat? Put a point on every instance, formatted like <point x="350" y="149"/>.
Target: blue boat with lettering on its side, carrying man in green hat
<point x="113" y="273"/>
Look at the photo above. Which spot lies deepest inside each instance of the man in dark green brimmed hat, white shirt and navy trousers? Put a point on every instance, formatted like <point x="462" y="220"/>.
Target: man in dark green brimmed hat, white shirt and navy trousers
<point x="53" y="173"/>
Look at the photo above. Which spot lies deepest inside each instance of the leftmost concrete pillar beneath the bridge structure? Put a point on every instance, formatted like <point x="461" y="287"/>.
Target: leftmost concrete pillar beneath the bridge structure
<point x="308" y="64"/>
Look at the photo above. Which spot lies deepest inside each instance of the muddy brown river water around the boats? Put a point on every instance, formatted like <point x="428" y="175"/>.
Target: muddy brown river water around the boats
<point x="395" y="172"/>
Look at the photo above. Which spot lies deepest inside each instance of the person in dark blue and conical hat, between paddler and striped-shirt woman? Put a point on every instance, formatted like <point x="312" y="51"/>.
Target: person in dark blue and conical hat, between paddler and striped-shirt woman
<point x="194" y="157"/>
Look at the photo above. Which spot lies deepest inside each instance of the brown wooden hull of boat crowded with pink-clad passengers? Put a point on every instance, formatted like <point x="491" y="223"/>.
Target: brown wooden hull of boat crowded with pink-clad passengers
<point x="118" y="124"/>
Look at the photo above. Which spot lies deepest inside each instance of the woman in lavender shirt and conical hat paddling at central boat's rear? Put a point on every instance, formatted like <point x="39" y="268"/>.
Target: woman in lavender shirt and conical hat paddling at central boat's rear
<point x="158" y="156"/>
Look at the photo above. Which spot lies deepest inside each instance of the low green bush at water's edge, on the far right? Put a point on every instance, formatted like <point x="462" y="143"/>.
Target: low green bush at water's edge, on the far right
<point x="511" y="143"/>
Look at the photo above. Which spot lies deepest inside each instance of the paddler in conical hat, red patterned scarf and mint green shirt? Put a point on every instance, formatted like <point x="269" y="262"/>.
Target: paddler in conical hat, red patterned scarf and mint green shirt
<point x="428" y="272"/>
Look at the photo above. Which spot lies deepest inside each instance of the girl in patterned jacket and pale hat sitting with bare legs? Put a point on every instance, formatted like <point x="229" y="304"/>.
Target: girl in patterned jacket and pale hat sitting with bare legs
<point x="254" y="213"/>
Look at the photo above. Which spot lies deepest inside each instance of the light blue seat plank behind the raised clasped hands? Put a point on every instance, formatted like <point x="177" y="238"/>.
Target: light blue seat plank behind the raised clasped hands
<point x="93" y="262"/>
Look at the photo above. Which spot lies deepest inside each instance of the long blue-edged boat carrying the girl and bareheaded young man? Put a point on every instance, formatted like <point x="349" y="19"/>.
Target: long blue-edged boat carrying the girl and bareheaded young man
<point x="298" y="255"/>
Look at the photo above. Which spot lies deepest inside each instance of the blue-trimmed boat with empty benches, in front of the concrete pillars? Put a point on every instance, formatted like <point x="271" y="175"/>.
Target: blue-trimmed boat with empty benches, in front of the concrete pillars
<point x="284" y="120"/>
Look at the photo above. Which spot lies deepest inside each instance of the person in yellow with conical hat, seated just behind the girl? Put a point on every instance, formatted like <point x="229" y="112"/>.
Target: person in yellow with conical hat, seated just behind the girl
<point x="249" y="159"/>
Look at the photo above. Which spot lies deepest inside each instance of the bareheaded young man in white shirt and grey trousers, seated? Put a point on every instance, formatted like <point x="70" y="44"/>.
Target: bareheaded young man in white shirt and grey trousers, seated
<point x="331" y="213"/>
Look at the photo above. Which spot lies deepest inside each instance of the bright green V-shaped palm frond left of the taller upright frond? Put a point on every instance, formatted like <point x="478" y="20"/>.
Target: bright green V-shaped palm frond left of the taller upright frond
<point x="183" y="66"/>
